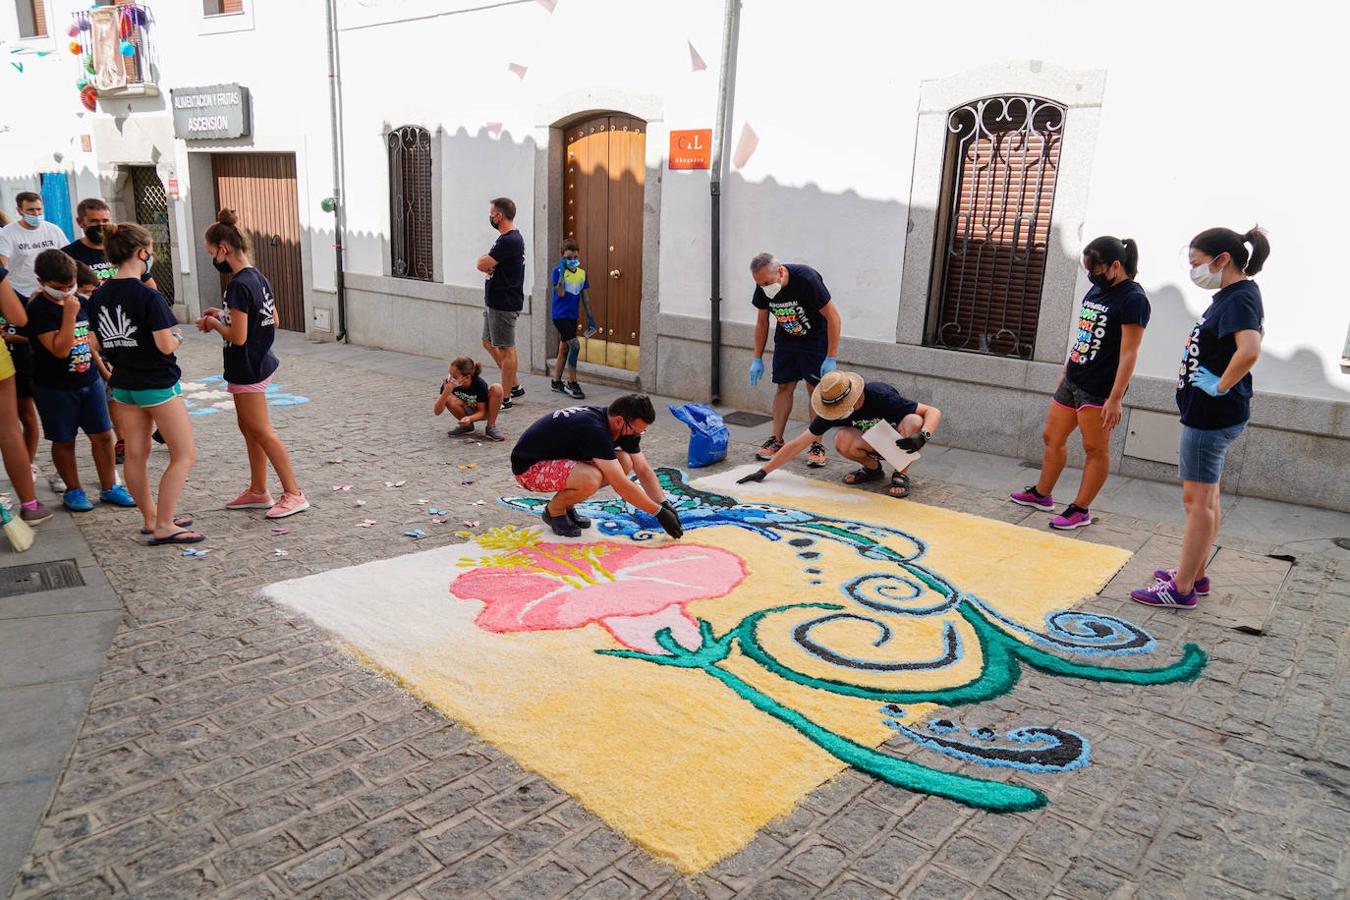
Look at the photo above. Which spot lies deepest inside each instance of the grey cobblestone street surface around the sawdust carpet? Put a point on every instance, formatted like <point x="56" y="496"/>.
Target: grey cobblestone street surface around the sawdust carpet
<point x="233" y="750"/>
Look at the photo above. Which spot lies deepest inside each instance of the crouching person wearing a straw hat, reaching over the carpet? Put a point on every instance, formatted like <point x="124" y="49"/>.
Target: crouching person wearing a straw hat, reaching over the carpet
<point x="846" y="403"/>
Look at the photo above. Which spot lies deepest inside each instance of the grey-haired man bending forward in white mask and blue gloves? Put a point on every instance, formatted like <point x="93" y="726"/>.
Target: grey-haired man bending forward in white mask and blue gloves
<point x="807" y="339"/>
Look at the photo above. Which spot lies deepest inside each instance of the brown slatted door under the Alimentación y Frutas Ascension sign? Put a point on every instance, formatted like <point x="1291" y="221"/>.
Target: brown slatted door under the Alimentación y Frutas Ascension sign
<point x="261" y="188"/>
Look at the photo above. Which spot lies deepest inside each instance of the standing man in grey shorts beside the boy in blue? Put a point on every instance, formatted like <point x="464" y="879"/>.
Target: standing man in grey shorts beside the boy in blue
<point x="504" y="295"/>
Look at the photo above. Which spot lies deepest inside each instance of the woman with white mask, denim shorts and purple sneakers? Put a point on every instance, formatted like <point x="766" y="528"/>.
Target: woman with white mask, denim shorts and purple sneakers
<point x="1214" y="396"/>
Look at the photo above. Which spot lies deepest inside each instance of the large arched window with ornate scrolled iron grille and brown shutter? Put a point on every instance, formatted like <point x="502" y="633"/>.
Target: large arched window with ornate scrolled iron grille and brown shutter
<point x="994" y="225"/>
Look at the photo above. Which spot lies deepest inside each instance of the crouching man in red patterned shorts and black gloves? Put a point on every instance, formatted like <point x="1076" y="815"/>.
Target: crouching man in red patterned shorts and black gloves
<point x="573" y="453"/>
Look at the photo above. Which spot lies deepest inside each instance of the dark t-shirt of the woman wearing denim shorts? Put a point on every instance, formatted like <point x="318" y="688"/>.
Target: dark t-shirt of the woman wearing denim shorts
<point x="1213" y="343"/>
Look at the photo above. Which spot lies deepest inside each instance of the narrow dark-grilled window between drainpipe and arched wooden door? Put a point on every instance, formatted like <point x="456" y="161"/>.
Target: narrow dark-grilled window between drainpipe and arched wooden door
<point x="410" y="203"/>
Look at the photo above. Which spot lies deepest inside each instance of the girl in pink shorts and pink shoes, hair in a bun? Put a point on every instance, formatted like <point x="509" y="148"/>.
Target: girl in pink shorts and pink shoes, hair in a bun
<point x="249" y="325"/>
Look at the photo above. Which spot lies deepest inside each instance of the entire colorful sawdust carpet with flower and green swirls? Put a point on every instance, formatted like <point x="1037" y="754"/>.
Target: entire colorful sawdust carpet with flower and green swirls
<point x="692" y="692"/>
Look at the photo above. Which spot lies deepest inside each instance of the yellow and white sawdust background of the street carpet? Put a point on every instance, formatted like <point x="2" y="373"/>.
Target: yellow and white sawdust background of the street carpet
<point x="672" y="758"/>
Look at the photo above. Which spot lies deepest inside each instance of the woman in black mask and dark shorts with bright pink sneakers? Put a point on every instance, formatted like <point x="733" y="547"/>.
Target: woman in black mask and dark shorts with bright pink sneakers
<point x="1112" y="323"/>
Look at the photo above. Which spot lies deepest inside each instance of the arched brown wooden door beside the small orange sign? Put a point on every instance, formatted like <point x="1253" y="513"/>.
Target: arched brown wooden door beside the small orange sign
<point x="603" y="191"/>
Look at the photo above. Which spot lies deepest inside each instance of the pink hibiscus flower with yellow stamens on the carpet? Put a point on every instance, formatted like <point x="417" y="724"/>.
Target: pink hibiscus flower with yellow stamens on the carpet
<point x="632" y="592"/>
